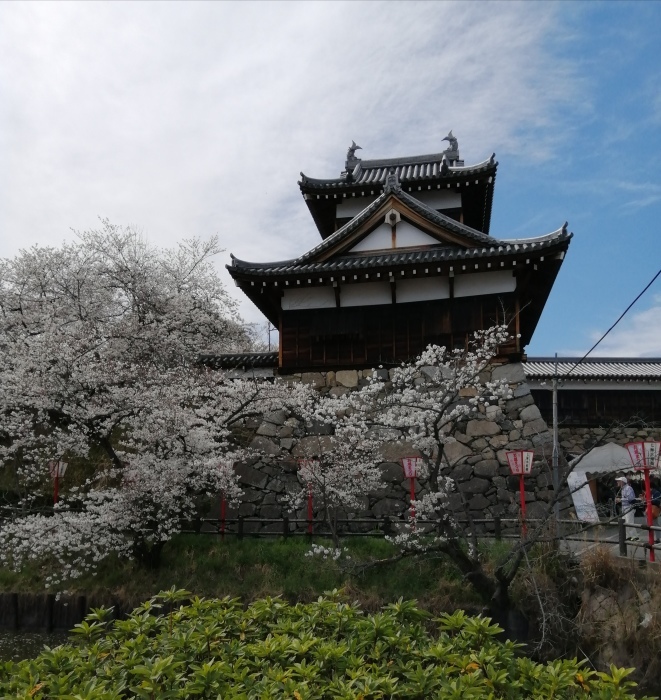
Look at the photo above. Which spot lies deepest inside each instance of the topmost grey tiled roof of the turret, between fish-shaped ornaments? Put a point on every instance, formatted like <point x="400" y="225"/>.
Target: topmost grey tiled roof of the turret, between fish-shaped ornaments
<point x="411" y="169"/>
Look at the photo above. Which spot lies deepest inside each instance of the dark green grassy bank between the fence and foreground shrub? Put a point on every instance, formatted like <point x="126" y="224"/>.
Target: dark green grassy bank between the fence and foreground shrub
<point x="255" y="568"/>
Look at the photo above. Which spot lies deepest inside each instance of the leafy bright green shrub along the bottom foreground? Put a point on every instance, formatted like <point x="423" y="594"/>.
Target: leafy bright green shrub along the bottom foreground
<point x="327" y="649"/>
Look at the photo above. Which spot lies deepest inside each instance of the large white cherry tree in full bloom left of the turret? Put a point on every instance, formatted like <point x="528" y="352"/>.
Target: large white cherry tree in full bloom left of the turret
<point x="99" y="340"/>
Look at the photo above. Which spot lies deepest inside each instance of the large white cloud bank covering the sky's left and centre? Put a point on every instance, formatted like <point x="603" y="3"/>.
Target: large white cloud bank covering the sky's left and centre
<point x="195" y="118"/>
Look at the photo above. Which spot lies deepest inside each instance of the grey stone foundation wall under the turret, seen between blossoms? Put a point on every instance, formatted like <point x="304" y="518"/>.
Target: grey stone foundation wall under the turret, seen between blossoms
<point x="477" y="461"/>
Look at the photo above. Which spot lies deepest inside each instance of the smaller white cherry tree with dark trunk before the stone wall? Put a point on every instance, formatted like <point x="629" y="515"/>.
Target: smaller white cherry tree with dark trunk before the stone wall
<point x="420" y="404"/>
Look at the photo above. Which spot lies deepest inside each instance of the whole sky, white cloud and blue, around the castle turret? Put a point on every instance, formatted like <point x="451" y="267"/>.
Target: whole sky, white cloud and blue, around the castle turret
<point x="195" y="119"/>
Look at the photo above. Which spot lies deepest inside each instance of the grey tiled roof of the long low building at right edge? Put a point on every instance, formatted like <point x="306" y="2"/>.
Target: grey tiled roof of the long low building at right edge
<point x="613" y="368"/>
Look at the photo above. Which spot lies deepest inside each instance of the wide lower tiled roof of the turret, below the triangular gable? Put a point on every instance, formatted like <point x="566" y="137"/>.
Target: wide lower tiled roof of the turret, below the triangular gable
<point x="433" y="254"/>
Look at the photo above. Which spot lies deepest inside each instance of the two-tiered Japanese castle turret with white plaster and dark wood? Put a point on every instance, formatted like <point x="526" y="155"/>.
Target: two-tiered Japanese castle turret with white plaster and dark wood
<point x="406" y="259"/>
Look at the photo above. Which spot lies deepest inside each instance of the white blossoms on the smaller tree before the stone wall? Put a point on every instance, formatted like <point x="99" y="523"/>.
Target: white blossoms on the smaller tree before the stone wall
<point x="419" y="404"/>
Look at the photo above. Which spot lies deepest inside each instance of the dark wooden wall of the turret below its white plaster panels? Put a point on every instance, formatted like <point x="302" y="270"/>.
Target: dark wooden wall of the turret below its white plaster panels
<point x="385" y="334"/>
